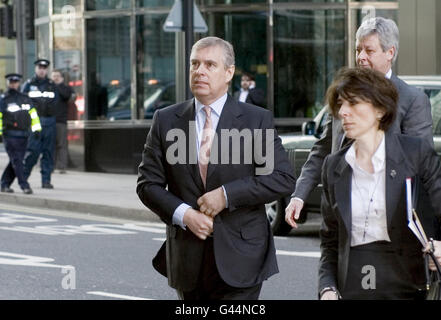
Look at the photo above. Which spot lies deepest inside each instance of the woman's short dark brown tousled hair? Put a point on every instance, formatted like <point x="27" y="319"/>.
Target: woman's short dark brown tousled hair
<point x="364" y="84"/>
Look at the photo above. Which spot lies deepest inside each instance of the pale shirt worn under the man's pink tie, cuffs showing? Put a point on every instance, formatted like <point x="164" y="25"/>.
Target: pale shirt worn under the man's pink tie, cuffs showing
<point x="216" y="111"/>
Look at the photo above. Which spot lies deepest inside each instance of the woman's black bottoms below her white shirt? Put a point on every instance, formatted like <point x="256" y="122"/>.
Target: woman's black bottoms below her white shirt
<point x="376" y="273"/>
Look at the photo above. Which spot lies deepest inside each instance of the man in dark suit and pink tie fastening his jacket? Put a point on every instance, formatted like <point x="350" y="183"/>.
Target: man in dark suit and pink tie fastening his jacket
<point x="219" y="243"/>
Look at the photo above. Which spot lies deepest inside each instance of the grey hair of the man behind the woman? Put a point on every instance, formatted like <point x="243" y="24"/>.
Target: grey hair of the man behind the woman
<point x="387" y="31"/>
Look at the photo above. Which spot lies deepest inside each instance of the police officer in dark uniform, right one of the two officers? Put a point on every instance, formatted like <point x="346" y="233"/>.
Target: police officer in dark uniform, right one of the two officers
<point x="43" y="94"/>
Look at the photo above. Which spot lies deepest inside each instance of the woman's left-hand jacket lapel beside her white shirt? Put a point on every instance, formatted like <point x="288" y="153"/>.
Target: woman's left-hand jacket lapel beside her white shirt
<point x="342" y="191"/>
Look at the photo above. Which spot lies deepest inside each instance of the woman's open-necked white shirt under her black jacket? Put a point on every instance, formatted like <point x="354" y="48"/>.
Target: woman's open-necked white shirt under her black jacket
<point x="368" y="199"/>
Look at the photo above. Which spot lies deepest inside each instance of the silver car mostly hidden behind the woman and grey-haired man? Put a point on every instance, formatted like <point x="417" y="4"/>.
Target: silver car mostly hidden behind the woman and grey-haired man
<point x="298" y="145"/>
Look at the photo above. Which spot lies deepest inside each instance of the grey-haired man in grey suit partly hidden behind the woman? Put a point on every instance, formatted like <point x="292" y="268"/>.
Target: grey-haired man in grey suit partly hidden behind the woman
<point x="377" y="48"/>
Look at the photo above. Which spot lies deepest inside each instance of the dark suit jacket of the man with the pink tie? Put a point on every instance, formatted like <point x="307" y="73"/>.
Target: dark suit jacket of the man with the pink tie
<point x="243" y="243"/>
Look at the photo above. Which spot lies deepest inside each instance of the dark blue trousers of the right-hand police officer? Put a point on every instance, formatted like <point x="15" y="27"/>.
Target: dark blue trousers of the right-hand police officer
<point x="44" y="145"/>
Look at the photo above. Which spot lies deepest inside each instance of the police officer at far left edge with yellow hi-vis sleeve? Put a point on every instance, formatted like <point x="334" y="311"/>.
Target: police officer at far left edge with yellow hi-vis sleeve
<point x="18" y="118"/>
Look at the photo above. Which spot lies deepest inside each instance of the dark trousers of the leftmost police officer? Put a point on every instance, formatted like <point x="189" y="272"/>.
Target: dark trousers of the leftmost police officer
<point x="16" y="148"/>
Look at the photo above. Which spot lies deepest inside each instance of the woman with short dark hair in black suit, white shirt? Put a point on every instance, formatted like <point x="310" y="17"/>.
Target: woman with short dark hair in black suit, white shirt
<point x="367" y="249"/>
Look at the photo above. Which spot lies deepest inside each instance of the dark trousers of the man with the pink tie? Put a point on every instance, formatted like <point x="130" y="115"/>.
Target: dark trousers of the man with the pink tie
<point x="211" y="286"/>
